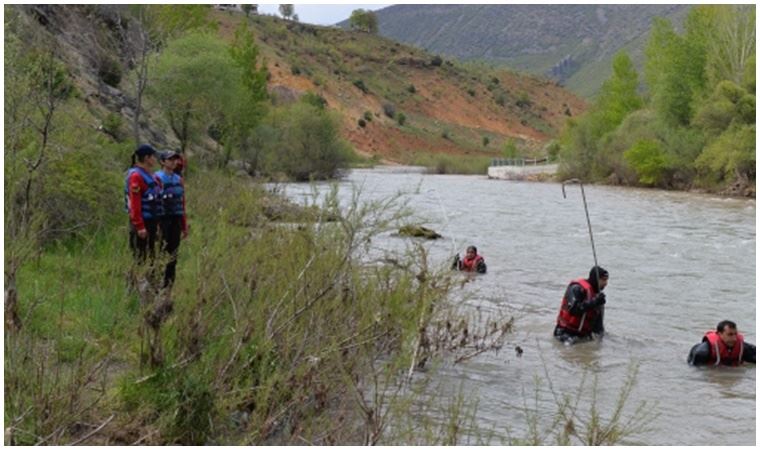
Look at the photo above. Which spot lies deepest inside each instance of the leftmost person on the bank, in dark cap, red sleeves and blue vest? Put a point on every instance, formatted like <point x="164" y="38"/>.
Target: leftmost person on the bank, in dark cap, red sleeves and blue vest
<point x="142" y="194"/>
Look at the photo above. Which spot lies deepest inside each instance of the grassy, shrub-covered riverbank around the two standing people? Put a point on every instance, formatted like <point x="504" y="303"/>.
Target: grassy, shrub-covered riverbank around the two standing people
<point x="245" y="349"/>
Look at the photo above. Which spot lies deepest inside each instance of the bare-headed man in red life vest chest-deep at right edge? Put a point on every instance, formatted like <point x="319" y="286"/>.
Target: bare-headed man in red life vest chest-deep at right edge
<point x="723" y="347"/>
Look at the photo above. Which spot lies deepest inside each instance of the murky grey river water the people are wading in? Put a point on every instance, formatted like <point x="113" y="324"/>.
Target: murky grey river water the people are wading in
<point x="678" y="263"/>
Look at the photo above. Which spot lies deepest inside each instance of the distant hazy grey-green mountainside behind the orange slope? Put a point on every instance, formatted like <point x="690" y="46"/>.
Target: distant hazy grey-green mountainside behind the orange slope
<point x="573" y="44"/>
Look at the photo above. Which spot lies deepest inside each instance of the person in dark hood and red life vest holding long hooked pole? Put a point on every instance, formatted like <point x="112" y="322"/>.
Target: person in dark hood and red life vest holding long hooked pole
<point x="582" y="310"/>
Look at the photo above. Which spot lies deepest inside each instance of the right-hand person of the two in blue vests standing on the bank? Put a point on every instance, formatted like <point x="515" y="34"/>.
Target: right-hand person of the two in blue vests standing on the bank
<point x="174" y="218"/>
